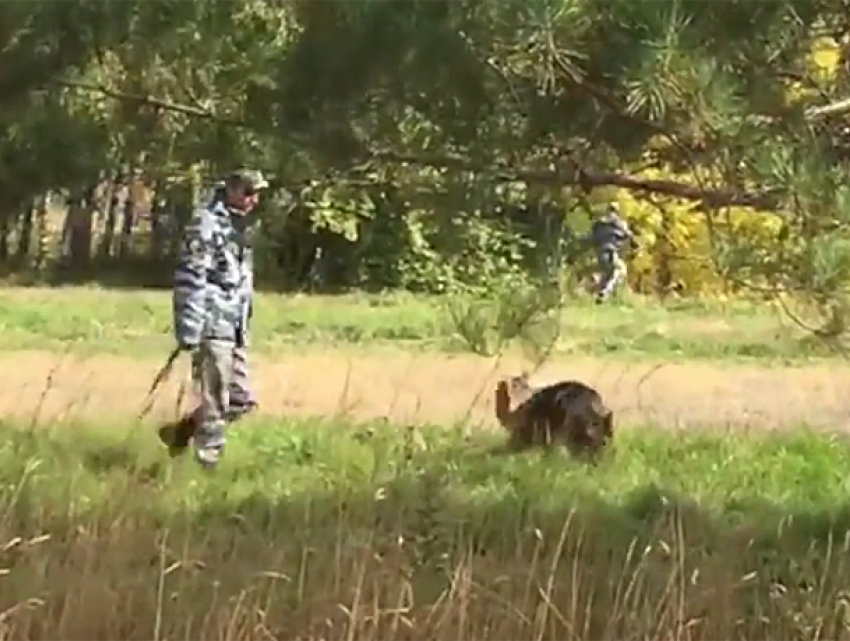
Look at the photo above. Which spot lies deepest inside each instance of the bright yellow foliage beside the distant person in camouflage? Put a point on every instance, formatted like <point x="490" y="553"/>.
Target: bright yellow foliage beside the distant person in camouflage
<point x="673" y="234"/>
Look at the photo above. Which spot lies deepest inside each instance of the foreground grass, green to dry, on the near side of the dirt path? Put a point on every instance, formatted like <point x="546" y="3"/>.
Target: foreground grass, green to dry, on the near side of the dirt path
<point x="331" y="530"/>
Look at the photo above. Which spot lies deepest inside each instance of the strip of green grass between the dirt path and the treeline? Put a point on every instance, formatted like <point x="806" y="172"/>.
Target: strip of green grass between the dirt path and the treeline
<point x="87" y="319"/>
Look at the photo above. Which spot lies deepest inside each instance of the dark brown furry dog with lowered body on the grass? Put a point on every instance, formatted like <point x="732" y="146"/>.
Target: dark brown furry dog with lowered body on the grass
<point x="568" y="413"/>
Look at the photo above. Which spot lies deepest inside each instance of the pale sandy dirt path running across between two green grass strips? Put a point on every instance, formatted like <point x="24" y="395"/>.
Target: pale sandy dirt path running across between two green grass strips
<point x="436" y="388"/>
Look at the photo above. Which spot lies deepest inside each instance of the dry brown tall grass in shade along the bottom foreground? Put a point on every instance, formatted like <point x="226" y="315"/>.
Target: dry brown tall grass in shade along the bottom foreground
<point x="114" y="577"/>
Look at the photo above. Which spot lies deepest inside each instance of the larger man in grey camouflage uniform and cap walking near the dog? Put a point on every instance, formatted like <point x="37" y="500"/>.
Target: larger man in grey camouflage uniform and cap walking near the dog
<point x="212" y="305"/>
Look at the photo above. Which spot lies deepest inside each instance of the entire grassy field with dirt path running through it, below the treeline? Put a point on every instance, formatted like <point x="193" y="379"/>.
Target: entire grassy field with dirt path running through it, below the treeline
<point x="371" y="499"/>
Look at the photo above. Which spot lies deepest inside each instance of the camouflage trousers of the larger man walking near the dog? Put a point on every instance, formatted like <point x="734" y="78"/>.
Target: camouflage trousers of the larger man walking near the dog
<point x="220" y="377"/>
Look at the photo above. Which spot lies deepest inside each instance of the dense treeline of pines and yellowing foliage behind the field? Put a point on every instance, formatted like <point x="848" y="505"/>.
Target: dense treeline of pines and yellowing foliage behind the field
<point x="433" y="146"/>
